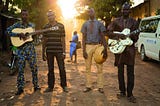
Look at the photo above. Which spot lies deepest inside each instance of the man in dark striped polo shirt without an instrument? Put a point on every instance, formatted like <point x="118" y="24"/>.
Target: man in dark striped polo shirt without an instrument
<point x="54" y="47"/>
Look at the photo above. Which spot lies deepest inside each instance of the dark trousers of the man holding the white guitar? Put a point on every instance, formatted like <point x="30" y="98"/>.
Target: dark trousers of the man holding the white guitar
<point x="130" y="79"/>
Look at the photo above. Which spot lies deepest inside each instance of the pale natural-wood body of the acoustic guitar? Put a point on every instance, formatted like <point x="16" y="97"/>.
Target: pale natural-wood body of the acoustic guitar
<point x="16" y="41"/>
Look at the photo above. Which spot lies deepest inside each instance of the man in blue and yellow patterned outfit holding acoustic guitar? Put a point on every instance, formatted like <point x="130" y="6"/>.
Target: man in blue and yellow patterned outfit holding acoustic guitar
<point x="25" y="52"/>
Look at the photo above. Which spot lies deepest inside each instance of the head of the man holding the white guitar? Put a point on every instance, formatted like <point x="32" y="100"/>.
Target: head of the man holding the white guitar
<point x="125" y="9"/>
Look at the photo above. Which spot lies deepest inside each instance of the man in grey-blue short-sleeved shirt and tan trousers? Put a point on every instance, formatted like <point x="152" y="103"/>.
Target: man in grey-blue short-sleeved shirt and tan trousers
<point x="93" y="36"/>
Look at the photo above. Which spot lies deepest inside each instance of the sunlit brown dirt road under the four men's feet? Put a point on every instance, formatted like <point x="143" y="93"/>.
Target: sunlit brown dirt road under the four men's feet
<point x="147" y="85"/>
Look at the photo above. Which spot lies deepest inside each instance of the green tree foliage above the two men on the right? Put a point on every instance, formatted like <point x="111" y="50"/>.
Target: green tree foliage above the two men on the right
<point x="105" y="9"/>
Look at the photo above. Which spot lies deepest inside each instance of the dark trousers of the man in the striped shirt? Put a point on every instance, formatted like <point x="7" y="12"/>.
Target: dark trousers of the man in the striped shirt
<point x="62" y="71"/>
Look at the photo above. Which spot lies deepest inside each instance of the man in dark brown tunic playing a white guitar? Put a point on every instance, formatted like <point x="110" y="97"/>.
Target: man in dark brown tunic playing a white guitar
<point x="127" y="57"/>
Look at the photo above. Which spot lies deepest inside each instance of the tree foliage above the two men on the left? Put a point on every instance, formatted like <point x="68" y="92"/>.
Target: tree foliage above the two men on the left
<point x="36" y="8"/>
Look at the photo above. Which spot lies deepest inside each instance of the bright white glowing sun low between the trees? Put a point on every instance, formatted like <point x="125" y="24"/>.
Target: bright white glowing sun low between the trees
<point x="67" y="8"/>
